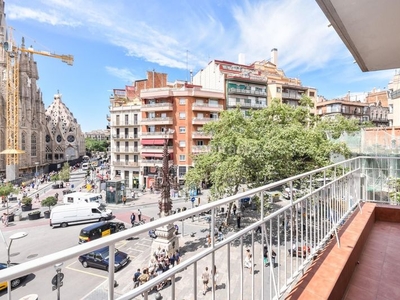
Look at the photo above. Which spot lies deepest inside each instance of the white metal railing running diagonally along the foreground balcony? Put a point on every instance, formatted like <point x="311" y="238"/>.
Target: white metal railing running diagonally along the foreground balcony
<point x="297" y="229"/>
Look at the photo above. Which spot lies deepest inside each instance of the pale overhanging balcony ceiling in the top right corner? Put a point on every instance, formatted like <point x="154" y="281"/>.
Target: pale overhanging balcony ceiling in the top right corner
<point x="369" y="29"/>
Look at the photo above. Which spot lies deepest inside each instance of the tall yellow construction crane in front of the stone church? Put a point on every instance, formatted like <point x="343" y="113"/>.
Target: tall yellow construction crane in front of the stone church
<point x="12" y="99"/>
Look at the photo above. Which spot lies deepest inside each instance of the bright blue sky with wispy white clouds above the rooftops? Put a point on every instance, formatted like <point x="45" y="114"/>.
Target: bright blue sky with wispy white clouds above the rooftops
<point x="116" y="42"/>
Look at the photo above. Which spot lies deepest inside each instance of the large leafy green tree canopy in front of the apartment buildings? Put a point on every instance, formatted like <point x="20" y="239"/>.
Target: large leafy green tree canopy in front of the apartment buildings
<point x="266" y="145"/>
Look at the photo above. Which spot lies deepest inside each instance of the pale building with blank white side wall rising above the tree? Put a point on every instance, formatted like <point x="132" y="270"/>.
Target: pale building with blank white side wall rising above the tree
<point x="252" y="86"/>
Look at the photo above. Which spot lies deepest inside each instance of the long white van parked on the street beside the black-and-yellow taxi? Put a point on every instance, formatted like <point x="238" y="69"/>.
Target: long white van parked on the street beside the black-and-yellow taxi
<point x="64" y="215"/>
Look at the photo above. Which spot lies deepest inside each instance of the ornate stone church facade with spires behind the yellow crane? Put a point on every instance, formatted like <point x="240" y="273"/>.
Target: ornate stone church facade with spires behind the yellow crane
<point x="48" y="137"/>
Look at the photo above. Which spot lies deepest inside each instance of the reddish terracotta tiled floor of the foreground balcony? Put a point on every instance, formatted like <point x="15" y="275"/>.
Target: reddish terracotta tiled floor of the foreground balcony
<point x="377" y="275"/>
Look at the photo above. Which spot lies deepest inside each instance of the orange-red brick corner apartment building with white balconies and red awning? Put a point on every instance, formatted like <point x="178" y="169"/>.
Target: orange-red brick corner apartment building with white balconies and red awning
<point x="175" y="115"/>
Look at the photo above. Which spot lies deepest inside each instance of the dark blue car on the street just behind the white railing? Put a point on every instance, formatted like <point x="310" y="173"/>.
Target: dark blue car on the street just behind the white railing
<point x="99" y="259"/>
